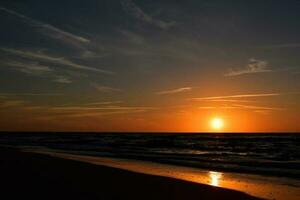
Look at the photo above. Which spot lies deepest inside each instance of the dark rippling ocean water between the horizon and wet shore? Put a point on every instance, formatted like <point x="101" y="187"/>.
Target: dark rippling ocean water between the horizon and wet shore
<point x="259" y="153"/>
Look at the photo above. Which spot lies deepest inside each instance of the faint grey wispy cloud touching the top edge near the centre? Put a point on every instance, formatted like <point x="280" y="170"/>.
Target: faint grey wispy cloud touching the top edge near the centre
<point x="132" y="9"/>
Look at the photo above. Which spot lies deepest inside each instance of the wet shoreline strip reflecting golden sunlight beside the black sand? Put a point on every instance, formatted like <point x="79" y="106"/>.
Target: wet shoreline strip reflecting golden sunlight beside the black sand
<point x="265" y="187"/>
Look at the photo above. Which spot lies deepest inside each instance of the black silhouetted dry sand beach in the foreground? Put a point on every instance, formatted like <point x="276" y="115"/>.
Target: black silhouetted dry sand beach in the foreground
<point x="33" y="176"/>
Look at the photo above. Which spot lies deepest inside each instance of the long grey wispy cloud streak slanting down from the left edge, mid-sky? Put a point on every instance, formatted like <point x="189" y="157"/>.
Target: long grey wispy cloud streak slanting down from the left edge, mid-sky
<point x="40" y="56"/>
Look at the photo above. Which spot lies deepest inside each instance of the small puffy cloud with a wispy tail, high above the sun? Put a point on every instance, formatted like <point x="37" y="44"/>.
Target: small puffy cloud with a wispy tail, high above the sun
<point x="254" y="66"/>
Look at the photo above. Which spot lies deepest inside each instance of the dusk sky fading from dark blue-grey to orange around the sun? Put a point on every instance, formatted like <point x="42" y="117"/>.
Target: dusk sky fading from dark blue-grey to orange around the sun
<point x="149" y="65"/>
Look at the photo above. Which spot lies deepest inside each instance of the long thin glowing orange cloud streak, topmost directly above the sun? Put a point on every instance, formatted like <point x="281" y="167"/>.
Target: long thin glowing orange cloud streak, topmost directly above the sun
<point x="237" y="96"/>
